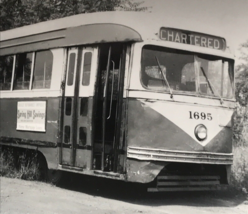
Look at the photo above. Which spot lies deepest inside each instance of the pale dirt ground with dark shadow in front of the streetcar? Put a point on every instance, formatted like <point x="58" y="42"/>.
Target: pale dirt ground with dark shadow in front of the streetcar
<point x="19" y="196"/>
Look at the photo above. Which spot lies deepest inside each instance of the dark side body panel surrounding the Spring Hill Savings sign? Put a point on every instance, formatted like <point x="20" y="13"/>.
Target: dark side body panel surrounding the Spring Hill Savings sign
<point x="8" y="121"/>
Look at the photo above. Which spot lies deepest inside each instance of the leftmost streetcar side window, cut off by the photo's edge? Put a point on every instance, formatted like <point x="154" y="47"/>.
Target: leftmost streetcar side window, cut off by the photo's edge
<point x="6" y="67"/>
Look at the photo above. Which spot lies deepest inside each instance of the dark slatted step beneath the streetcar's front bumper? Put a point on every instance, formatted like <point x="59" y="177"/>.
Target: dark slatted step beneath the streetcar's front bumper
<point x="187" y="183"/>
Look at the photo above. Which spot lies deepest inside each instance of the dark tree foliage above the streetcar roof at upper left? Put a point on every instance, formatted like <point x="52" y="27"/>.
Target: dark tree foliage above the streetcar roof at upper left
<point x="17" y="13"/>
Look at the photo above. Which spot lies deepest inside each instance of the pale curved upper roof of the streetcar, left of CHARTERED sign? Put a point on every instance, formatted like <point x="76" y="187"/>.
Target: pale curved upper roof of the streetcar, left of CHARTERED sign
<point x="143" y="25"/>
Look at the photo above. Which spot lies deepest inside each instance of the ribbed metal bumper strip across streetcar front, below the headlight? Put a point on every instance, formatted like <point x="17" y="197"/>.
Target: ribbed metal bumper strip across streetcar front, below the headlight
<point x="151" y="154"/>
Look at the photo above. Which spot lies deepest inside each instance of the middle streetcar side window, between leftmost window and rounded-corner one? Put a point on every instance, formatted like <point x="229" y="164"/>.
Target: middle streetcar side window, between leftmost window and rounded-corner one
<point x="23" y="68"/>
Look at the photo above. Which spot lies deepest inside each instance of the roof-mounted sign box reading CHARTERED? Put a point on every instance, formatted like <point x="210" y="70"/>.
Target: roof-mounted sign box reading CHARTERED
<point x="192" y="38"/>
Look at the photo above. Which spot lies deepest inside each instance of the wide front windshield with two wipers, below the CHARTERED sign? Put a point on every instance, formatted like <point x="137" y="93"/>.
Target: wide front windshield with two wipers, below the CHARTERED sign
<point x="166" y="69"/>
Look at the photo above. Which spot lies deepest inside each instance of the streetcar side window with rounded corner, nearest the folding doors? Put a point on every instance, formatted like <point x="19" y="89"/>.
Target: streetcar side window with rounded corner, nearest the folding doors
<point x="42" y="69"/>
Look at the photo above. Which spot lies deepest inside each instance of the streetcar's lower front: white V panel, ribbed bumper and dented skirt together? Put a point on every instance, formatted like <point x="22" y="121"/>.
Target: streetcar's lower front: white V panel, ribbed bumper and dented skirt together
<point x="160" y="133"/>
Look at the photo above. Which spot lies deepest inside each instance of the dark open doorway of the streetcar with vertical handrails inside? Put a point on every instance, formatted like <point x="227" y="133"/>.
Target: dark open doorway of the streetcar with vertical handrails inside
<point x="107" y="108"/>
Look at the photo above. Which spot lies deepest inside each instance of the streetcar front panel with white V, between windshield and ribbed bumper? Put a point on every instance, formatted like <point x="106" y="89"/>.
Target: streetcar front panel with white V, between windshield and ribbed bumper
<point x="167" y="126"/>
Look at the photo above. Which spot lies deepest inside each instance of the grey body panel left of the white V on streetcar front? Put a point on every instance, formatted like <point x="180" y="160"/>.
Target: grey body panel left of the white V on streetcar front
<point x="147" y="128"/>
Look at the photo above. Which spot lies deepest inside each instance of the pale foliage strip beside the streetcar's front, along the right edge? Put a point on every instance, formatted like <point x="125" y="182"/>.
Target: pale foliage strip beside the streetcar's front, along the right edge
<point x="240" y="129"/>
